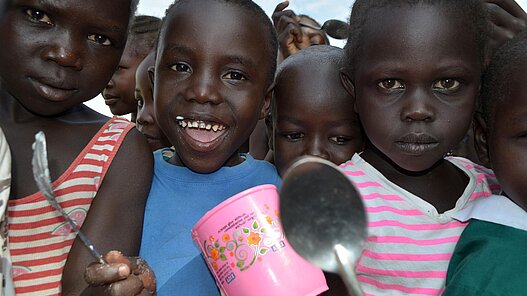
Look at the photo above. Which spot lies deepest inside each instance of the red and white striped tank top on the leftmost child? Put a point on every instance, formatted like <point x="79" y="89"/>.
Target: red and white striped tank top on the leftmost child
<point x="39" y="237"/>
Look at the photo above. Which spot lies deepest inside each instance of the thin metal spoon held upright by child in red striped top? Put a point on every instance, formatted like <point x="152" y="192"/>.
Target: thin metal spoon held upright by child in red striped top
<point x="41" y="176"/>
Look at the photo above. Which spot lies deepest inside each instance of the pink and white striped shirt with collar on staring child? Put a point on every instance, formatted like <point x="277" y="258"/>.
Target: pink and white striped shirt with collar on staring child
<point x="409" y="243"/>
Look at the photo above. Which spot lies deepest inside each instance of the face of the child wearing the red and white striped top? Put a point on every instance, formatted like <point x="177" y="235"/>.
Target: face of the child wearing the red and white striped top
<point x="58" y="54"/>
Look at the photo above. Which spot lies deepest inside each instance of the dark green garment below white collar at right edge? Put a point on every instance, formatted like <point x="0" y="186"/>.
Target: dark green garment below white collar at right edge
<point x="486" y="249"/>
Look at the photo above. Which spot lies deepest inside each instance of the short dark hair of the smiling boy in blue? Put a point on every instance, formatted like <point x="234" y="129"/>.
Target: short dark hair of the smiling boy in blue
<point x="259" y="14"/>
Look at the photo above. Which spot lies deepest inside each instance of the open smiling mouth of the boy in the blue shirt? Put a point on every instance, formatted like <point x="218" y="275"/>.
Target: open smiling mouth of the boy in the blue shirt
<point x="205" y="135"/>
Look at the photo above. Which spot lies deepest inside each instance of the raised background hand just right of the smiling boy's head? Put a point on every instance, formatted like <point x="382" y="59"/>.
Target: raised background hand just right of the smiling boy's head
<point x="290" y="37"/>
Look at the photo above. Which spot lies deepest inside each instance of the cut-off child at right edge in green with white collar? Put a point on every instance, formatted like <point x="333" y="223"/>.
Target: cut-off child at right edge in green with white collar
<point x="490" y="257"/>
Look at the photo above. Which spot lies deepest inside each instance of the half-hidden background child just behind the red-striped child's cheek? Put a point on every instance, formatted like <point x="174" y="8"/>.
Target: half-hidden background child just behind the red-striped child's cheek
<point x="119" y="92"/>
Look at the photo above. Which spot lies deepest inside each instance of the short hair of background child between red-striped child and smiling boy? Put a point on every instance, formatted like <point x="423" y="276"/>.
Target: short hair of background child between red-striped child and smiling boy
<point x="144" y="31"/>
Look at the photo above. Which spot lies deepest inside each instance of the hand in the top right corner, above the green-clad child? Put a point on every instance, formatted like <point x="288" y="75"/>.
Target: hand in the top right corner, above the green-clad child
<point x="507" y="19"/>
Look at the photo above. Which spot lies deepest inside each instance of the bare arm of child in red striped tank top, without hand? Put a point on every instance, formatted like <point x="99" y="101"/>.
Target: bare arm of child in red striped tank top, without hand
<point x="115" y="219"/>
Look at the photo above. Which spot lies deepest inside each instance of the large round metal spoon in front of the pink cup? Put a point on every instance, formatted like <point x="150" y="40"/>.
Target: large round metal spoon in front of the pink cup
<point x="323" y="217"/>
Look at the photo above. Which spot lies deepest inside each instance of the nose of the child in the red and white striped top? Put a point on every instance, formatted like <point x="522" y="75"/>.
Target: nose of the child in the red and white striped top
<point x="64" y="52"/>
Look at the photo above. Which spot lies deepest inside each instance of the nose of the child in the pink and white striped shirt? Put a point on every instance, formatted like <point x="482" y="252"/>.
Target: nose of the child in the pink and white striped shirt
<point x="417" y="106"/>
